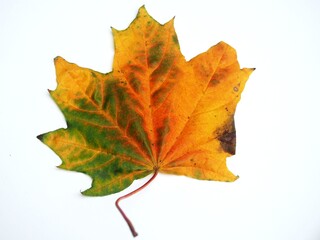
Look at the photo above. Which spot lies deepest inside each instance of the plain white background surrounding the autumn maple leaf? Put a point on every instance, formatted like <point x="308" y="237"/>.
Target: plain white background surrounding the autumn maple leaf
<point x="278" y="194"/>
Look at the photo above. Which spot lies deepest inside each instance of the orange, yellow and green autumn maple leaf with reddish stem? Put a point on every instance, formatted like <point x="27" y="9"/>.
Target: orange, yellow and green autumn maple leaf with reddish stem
<point x="155" y="112"/>
